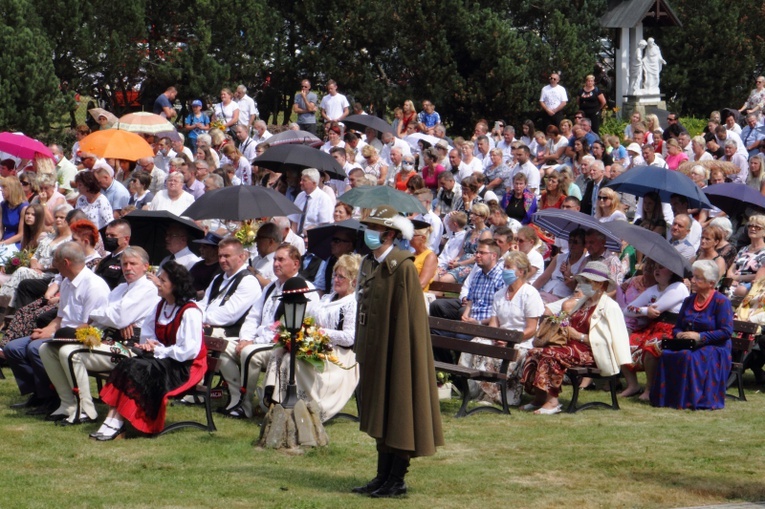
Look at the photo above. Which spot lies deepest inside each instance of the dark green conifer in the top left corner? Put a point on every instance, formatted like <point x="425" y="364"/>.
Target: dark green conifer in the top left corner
<point x="30" y="99"/>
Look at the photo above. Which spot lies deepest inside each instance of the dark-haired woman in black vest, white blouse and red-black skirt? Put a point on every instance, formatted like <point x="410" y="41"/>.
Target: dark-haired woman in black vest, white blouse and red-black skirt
<point x="173" y="358"/>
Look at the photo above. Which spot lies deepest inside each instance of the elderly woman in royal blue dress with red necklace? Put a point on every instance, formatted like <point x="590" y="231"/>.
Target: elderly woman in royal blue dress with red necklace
<point x="695" y="376"/>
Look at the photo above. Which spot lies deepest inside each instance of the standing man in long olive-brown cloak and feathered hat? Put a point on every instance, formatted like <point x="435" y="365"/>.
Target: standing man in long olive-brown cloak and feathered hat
<point x="399" y="399"/>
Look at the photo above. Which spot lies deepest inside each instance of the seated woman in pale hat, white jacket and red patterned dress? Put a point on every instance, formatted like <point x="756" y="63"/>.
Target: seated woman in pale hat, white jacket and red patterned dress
<point x="597" y="336"/>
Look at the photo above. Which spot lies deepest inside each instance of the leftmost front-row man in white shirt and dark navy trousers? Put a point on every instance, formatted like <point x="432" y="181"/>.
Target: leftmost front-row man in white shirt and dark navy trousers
<point x="81" y="292"/>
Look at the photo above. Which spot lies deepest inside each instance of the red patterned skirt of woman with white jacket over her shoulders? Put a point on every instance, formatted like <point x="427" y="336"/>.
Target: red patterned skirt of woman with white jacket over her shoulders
<point x="545" y="367"/>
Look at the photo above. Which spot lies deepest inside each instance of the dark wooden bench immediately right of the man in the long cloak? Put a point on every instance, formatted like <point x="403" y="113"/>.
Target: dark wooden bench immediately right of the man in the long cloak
<point x="443" y="336"/>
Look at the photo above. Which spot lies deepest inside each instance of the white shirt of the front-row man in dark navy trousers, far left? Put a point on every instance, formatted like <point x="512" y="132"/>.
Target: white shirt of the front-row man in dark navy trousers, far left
<point x="80" y="296"/>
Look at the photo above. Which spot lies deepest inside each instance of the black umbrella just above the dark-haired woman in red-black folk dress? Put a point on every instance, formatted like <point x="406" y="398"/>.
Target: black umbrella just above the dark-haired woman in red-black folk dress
<point x="148" y="227"/>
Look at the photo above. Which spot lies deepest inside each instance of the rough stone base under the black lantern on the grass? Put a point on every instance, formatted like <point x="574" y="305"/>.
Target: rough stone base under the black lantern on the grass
<point x="291" y="428"/>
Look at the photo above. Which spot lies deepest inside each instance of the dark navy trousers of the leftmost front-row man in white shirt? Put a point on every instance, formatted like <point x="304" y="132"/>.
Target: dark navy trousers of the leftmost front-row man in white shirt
<point x="23" y="356"/>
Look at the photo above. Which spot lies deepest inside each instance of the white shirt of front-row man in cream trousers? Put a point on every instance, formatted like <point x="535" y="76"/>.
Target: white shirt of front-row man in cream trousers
<point x="128" y="304"/>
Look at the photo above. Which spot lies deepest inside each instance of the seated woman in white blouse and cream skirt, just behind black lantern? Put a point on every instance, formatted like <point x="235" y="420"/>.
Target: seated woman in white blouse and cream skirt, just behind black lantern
<point x="336" y="314"/>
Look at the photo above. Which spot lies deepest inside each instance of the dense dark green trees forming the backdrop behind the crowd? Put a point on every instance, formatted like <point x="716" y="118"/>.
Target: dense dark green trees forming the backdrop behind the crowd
<point x="477" y="59"/>
